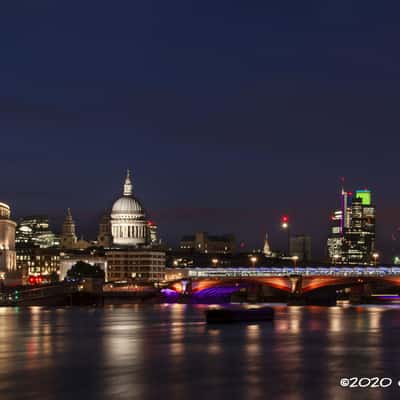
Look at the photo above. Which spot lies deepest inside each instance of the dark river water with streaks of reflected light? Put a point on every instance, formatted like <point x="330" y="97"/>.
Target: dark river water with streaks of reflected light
<point x="168" y="352"/>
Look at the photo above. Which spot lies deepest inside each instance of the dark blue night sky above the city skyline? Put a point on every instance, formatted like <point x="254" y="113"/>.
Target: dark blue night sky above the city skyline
<point x="229" y="113"/>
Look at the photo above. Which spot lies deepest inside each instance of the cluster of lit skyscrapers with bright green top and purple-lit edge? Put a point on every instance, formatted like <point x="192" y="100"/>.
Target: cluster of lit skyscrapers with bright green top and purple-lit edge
<point x="352" y="238"/>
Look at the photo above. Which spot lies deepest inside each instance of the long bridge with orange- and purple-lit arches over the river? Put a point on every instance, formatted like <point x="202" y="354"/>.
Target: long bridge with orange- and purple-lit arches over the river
<point x="284" y="280"/>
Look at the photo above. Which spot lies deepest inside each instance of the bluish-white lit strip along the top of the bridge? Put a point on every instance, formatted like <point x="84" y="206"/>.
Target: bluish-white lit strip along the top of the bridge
<point x="243" y="272"/>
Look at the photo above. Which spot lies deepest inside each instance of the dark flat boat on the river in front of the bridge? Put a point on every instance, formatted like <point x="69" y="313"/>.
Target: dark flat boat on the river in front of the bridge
<point x="239" y="314"/>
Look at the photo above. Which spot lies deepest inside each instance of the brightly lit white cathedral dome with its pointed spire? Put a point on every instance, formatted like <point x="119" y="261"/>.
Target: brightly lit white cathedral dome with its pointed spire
<point x="128" y="219"/>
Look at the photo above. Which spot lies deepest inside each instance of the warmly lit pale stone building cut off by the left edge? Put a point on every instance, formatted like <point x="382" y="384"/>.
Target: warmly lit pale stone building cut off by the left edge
<point x="7" y="240"/>
